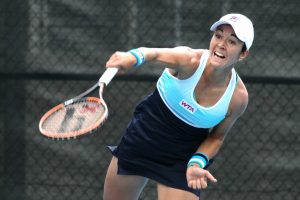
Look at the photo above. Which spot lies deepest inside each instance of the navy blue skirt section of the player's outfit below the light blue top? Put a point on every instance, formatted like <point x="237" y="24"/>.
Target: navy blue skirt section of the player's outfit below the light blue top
<point x="158" y="145"/>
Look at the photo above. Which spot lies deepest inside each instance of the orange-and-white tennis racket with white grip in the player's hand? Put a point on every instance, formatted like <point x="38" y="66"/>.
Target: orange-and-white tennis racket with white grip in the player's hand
<point x="79" y="115"/>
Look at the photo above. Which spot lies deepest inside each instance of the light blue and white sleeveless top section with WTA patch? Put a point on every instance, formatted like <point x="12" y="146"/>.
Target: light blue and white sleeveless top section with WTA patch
<point x="178" y="95"/>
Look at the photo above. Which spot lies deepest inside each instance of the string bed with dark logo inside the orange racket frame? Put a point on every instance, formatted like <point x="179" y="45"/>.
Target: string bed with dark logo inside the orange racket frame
<point x="74" y="117"/>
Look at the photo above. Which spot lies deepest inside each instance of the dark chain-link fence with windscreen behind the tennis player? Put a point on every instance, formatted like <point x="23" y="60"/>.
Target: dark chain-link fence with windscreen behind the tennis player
<point x="52" y="50"/>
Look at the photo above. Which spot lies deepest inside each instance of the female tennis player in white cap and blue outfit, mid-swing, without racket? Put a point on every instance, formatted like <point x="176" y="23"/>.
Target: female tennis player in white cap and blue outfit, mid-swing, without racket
<point x="178" y="129"/>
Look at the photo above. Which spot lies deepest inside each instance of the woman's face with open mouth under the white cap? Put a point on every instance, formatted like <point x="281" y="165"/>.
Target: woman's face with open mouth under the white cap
<point x="225" y="48"/>
